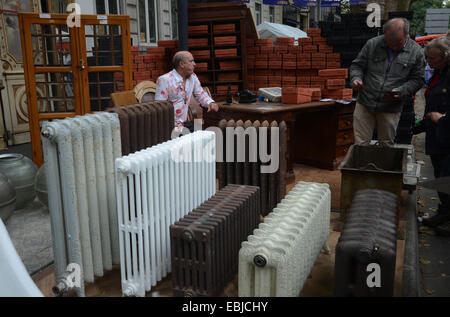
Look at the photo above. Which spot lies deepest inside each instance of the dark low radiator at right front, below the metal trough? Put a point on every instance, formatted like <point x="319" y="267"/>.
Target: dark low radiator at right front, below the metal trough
<point x="368" y="246"/>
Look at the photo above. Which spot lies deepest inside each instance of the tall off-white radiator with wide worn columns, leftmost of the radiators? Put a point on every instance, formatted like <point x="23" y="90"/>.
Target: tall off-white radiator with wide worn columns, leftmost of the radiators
<point x="79" y="154"/>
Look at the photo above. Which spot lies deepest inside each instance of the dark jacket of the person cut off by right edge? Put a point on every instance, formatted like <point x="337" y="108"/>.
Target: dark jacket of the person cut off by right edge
<point x="438" y="100"/>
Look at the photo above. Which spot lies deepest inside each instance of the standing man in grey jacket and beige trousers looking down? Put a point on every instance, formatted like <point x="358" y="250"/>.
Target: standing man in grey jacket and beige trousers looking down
<point x="389" y="69"/>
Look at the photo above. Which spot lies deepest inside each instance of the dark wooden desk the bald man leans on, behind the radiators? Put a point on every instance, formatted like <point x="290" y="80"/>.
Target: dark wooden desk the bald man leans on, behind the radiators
<point x="319" y="133"/>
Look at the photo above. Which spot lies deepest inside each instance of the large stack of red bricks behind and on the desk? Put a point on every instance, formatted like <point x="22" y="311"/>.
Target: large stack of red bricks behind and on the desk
<point x="310" y="64"/>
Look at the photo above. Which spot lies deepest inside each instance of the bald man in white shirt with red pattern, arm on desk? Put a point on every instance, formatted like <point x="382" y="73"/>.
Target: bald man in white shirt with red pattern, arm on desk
<point x="179" y="85"/>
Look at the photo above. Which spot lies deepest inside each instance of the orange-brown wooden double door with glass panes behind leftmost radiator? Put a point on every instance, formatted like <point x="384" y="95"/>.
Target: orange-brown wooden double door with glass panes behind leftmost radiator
<point x="58" y="63"/>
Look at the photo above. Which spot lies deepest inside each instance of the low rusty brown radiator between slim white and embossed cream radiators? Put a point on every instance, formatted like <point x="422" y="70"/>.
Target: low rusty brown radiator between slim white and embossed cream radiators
<point x="205" y="243"/>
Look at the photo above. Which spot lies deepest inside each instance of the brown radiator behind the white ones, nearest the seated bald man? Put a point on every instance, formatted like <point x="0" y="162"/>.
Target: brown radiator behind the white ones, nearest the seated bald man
<point x="145" y="124"/>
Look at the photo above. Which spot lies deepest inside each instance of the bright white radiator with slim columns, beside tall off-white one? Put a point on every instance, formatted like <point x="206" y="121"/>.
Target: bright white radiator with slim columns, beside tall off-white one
<point x="156" y="187"/>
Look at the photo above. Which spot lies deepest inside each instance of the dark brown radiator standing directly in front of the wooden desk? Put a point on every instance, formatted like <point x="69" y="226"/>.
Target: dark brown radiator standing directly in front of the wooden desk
<point x="246" y="169"/>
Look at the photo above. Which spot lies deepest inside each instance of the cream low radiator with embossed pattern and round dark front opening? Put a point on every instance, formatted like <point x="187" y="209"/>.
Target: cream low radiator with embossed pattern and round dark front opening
<point x="277" y="259"/>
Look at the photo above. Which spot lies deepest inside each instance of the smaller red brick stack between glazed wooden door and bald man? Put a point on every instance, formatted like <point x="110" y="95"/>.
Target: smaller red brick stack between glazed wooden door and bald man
<point x="156" y="61"/>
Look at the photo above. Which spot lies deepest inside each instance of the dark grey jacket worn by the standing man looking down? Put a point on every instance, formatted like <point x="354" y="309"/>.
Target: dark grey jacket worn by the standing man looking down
<point x="407" y="73"/>
